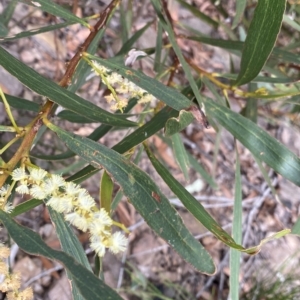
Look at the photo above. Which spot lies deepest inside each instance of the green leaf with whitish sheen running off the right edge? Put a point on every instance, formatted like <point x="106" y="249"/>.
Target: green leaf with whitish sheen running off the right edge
<point x="260" y="143"/>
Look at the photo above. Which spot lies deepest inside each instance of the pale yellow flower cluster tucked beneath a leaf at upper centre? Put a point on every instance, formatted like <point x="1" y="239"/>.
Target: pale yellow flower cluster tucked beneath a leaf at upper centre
<point x="117" y="84"/>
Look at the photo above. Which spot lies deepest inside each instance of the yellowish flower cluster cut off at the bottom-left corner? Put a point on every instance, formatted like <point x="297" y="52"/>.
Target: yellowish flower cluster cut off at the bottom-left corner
<point x="10" y="282"/>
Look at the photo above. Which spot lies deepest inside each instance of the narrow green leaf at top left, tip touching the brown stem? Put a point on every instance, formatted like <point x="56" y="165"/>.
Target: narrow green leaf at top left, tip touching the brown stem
<point x="57" y="10"/>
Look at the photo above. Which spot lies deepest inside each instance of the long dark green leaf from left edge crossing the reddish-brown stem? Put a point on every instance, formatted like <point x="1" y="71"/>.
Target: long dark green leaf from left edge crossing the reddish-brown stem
<point x="57" y="94"/>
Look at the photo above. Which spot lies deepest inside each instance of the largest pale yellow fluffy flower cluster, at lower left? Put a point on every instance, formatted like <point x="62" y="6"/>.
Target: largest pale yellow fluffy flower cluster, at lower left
<point x="78" y="207"/>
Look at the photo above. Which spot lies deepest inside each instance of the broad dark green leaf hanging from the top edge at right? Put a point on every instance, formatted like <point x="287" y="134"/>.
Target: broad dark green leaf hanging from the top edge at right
<point x="261" y="38"/>
